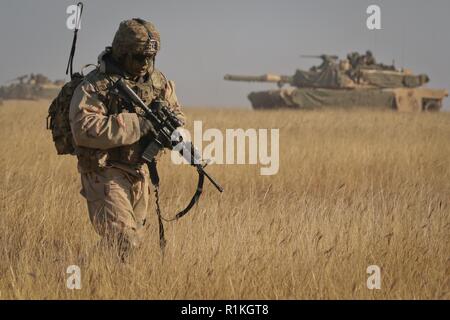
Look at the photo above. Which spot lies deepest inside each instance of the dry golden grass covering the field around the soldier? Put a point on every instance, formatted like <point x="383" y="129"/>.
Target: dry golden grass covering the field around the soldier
<point x="354" y="189"/>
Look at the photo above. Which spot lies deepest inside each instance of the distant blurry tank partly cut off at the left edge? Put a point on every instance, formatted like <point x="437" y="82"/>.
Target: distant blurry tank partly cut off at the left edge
<point x="31" y="87"/>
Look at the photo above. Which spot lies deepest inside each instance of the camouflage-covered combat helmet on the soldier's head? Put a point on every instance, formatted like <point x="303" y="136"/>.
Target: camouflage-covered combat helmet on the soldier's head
<point x="135" y="36"/>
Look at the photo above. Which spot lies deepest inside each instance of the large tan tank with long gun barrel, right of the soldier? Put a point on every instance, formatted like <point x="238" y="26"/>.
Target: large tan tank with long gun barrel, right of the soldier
<point x="355" y="81"/>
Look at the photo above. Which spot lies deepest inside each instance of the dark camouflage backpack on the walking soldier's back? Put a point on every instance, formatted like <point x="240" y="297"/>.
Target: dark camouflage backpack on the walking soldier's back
<point x="58" y="117"/>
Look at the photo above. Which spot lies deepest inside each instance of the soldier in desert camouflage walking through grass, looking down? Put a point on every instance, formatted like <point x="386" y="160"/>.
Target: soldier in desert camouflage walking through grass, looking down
<point x="109" y="138"/>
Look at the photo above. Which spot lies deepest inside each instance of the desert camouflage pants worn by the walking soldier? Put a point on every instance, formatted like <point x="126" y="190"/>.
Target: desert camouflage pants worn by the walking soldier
<point x="118" y="204"/>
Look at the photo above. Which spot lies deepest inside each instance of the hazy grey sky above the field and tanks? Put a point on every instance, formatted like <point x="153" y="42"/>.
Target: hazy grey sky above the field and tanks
<point x="203" y="40"/>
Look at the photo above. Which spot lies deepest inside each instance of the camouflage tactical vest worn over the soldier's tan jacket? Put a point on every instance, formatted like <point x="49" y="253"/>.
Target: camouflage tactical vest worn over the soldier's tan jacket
<point x="95" y="159"/>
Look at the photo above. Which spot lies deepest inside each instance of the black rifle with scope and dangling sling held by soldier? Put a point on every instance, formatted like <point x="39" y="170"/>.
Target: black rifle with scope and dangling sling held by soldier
<point x="166" y="123"/>
